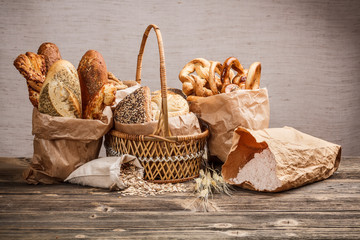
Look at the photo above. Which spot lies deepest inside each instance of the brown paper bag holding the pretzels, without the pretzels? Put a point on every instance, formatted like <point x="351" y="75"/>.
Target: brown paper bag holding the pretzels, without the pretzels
<point x="225" y="112"/>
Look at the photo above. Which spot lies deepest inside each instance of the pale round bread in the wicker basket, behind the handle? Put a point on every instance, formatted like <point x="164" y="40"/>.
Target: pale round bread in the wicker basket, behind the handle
<point x="177" y="105"/>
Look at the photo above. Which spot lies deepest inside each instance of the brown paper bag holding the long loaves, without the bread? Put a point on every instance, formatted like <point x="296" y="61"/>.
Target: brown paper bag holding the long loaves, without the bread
<point x="63" y="144"/>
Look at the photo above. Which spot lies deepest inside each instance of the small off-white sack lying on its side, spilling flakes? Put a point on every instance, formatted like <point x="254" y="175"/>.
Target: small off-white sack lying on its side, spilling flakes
<point x="104" y="172"/>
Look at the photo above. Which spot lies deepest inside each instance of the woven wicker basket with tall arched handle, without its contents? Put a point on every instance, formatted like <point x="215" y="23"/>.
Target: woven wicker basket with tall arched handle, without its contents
<point x="165" y="158"/>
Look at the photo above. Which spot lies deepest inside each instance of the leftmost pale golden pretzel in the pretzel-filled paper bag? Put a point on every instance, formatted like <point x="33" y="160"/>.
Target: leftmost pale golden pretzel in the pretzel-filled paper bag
<point x="198" y="65"/>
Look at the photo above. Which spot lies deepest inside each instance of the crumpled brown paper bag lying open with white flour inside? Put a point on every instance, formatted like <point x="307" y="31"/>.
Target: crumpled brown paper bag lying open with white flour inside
<point x="278" y="159"/>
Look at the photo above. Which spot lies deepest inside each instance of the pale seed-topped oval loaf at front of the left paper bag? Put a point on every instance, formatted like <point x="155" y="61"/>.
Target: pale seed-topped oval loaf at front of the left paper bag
<point x="61" y="94"/>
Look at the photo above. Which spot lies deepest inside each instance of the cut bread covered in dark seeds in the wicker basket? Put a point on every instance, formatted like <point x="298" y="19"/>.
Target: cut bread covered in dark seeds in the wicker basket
<point x="135" y="107"/>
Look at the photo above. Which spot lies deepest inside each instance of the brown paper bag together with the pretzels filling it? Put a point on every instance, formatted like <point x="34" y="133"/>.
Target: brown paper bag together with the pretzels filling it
<point x="225" y="100"/>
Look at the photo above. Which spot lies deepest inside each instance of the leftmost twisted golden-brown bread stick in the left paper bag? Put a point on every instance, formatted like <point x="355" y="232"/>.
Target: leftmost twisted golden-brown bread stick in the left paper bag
<point x="32" y="67"/>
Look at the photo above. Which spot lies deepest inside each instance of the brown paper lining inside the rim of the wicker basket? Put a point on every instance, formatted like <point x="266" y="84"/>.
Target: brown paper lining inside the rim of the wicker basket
<point x="187" y="124"/>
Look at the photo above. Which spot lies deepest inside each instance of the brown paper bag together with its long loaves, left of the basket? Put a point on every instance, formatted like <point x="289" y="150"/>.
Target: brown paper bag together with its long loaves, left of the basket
<point x="69" y="116"/>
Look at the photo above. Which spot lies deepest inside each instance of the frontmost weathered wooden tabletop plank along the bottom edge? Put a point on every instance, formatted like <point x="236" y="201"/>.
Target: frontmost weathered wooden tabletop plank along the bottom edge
<point x="142" y="224"/>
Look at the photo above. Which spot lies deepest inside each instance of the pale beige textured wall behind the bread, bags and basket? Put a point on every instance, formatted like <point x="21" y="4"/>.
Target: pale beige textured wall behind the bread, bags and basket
<point x="309" y="50"/>
